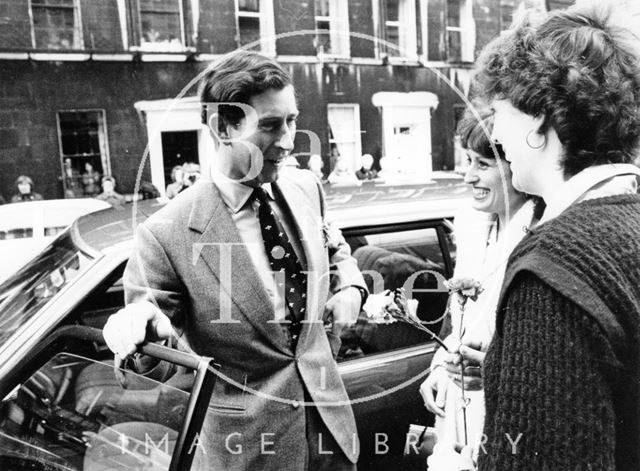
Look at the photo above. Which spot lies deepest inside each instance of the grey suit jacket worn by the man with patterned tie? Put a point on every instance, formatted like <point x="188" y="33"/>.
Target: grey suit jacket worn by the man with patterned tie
<point x="189" y="262"/>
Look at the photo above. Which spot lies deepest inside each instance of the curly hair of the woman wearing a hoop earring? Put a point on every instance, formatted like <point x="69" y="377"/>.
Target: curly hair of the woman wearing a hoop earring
<point x="580" y="68"/>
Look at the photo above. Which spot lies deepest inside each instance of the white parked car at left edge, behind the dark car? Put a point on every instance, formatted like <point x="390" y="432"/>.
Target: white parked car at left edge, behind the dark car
<point x="26" y="228"/>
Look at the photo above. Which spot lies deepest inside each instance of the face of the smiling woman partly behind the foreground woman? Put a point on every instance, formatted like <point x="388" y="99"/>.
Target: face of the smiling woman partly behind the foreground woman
<point x="486" y="176"/>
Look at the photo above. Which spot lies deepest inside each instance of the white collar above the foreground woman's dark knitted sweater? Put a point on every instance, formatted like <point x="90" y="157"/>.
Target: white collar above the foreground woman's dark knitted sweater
<point x="582" y="184"/>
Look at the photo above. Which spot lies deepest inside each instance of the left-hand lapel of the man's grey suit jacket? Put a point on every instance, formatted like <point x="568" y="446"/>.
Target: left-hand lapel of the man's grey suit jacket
<point x="219" y="246"/>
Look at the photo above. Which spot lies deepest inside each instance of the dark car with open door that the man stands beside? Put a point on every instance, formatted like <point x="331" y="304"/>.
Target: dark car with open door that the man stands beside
<point x="65" y="407"/>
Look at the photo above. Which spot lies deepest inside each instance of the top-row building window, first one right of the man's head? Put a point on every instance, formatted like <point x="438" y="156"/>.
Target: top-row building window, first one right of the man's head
<point x="332" y="28"/>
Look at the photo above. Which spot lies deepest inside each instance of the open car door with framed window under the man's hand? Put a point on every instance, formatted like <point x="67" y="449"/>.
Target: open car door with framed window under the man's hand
<point x="72" y="410"/>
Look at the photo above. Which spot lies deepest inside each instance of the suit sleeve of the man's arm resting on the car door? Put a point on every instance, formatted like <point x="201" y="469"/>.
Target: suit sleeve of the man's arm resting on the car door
<point x="150" y="276"/>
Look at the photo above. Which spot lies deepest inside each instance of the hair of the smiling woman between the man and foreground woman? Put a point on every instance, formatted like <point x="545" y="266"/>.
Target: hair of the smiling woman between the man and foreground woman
<point x="475" y="129"/>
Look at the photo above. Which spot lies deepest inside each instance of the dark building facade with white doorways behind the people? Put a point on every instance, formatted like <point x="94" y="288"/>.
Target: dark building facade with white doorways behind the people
<point x="111" y="83"/>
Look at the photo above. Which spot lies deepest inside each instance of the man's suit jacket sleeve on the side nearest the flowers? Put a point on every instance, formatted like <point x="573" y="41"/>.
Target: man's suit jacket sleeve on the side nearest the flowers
<point x="343" y="267"/>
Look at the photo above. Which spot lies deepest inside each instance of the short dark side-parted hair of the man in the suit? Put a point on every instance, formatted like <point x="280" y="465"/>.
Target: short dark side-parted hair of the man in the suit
<point x="237" y="77"/>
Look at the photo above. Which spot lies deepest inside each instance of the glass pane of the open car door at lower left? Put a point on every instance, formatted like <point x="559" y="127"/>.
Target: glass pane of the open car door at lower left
<point x="73" y="413"/>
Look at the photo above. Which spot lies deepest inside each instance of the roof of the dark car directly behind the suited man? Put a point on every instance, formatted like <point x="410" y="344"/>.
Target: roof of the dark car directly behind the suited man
<point x="349" y="207"/>
